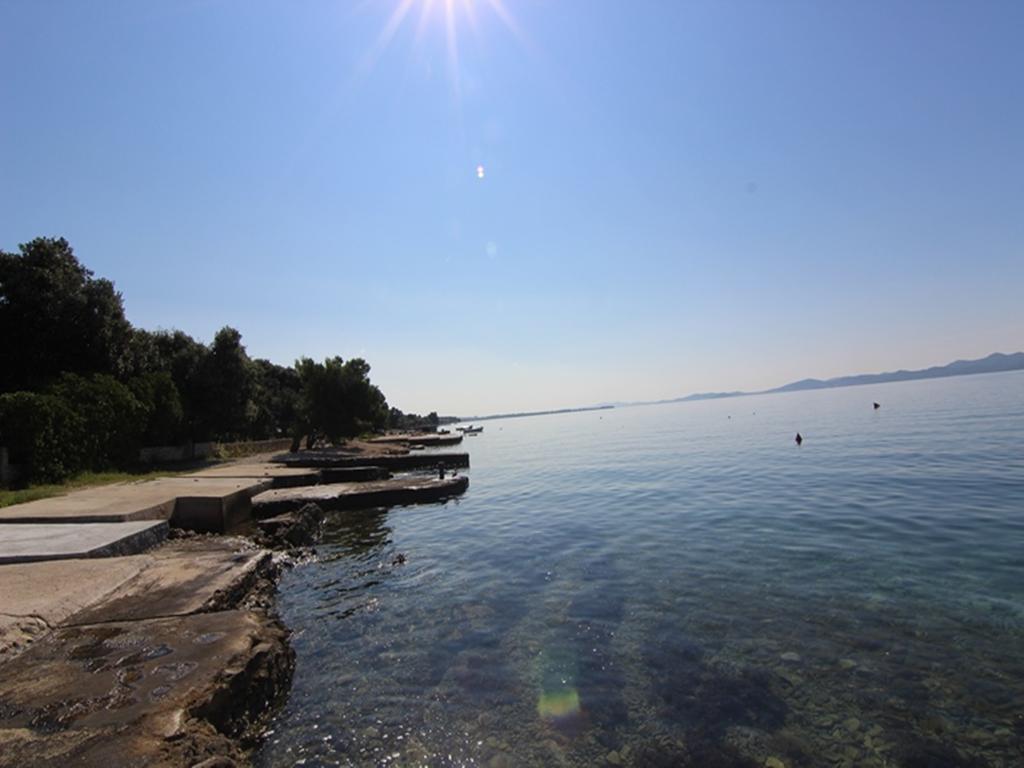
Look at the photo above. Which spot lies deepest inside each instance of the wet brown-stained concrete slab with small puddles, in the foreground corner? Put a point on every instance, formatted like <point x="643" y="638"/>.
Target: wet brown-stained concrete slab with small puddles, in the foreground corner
<point x="155" y="693"/>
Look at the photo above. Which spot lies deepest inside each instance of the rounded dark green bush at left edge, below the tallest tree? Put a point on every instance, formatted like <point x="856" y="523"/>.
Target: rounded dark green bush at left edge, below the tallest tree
<point x="42" y="434"/>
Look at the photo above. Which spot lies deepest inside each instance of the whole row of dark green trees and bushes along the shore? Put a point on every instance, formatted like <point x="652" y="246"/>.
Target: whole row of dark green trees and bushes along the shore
<point x="84" y="390"/>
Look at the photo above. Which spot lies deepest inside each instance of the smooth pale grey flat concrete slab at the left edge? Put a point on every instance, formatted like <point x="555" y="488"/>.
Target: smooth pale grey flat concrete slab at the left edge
<point x="31" y="543"/>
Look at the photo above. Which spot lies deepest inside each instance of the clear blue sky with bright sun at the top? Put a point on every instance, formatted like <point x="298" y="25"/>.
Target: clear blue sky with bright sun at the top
<point x="513" y="205"/>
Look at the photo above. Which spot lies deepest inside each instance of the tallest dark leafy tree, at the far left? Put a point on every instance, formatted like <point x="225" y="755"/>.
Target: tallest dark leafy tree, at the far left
<point x="64" y="320"/>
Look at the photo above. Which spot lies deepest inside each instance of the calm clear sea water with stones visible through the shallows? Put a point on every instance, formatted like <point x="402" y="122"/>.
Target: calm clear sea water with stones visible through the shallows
<point x="681" y="585"/>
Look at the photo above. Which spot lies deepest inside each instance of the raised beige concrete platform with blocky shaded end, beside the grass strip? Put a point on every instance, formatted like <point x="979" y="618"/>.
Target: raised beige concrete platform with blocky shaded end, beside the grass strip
<point x="208" y="504"/>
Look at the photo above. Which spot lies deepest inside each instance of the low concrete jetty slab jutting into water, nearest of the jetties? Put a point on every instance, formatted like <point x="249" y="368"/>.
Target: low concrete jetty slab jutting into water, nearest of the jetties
<point x="410" y="490"/>
